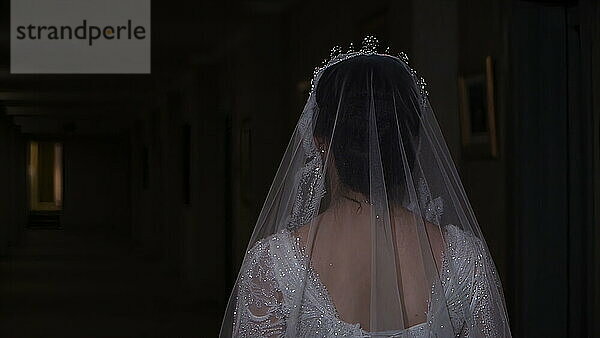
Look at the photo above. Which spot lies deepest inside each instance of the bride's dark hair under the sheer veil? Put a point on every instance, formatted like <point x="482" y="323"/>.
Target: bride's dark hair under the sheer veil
<point x="345" y="90"/>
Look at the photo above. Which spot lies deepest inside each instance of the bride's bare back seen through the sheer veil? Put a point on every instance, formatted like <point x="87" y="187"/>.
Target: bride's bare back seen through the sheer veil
<point x="341" y="236"/>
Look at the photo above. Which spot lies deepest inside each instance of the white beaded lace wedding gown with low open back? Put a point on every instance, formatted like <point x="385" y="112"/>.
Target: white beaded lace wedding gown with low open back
<point x="276" y="268"/>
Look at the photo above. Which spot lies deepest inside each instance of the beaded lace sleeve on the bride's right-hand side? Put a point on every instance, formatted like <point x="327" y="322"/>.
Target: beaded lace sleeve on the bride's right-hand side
<point x="474" y="294"/>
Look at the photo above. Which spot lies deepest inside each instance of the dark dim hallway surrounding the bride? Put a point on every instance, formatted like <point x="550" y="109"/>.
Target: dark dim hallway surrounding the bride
<point x="134" y="220"/>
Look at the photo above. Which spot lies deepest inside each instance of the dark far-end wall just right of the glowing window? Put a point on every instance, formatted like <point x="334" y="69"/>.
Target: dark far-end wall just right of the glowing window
<point x="94" y="169"/>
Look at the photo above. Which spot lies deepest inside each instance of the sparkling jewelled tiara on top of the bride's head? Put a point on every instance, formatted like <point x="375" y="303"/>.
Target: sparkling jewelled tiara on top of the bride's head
<point x="369" y="46"/>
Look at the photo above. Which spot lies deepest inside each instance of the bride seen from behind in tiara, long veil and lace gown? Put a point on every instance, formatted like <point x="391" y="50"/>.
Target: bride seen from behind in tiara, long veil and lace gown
<point x="366" y="230"/>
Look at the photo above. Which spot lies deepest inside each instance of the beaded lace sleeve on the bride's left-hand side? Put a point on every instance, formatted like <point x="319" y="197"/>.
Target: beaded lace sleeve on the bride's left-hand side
<point x="259" y="299"/>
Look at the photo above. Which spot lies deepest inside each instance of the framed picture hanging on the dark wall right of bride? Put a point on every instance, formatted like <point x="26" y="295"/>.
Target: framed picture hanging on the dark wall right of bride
<point x="478" y="114"/>
